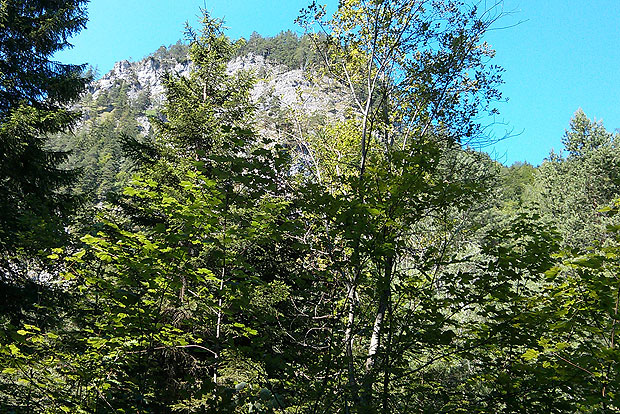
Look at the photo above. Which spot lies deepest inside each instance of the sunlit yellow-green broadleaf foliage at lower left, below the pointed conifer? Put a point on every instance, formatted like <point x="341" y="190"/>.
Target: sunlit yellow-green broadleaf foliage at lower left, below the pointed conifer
<point x="143" y="327"/>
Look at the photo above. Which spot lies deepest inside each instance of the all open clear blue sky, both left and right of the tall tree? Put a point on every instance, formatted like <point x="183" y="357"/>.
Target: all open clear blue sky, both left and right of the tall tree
<point x="563" y="54"/>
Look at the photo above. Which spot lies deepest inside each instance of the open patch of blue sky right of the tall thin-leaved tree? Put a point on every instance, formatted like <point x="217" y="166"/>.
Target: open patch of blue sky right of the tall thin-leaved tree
<point x="564" y="55"/>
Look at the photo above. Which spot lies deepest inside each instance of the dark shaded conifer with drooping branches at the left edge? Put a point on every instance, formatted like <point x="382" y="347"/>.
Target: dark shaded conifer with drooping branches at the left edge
<point x="34" y="95"/>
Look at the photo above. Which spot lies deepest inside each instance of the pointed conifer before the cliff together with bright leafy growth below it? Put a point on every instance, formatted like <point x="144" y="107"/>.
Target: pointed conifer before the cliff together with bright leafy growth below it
<point x="170" y="296"/>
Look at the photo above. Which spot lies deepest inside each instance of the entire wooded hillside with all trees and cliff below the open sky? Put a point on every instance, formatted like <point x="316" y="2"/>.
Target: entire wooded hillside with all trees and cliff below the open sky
<point x="296" y="224"/>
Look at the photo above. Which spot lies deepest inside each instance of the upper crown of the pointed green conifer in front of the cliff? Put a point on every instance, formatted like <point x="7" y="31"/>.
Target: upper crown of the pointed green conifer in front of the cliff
<point x="204" y="111"/>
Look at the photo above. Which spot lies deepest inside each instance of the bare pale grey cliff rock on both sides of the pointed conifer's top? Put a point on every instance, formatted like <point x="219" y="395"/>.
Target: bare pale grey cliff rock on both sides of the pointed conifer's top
<point x="278" y="88"/>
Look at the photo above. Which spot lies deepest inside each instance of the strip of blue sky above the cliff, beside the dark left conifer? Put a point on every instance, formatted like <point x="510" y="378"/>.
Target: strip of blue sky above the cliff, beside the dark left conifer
<point x="132" y="29"/>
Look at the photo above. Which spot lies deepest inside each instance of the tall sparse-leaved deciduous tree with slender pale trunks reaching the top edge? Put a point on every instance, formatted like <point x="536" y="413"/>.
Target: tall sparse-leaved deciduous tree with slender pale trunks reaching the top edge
<point x="417" y="76"/>
